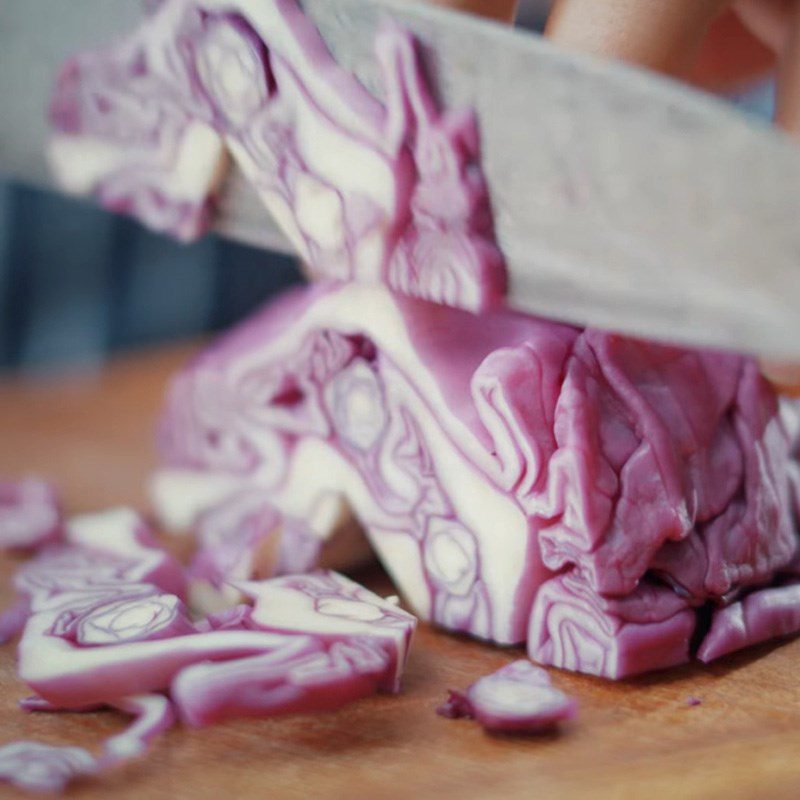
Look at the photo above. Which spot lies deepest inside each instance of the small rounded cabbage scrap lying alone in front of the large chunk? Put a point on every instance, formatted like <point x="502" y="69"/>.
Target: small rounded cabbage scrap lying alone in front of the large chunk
<point x="518" y="698"/>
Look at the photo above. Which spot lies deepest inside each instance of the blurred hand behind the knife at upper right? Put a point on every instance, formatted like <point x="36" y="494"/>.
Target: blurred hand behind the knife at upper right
<point x="714" y="43"/>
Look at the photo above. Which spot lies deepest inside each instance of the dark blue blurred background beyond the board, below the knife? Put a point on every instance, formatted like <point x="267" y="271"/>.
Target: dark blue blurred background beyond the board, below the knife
<point x="77" y="283"/>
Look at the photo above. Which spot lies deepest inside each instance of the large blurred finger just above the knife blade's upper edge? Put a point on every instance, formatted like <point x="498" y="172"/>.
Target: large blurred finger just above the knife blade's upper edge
<point x="664" y="35"/>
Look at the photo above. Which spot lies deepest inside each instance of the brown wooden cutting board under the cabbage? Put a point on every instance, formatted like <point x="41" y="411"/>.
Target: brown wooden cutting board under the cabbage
<point x="635" y="739"/>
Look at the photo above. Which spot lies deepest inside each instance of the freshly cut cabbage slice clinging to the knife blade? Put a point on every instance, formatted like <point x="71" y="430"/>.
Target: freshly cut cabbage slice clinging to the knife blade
<point x="364" y="191"/>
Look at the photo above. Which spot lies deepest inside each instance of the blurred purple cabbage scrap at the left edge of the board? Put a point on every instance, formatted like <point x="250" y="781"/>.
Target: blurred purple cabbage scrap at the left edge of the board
<point x="30" y="514"/>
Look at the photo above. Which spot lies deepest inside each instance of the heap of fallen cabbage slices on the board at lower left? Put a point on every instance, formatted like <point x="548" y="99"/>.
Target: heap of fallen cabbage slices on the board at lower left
<point x="104" y="628"/>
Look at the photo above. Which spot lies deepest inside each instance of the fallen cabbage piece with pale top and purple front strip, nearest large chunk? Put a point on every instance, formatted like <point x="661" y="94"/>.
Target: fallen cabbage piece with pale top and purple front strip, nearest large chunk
<point x="365" y="646"/>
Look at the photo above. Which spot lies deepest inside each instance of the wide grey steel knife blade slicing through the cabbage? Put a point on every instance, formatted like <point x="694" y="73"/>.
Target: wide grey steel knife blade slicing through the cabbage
<point x="622" y="199"/>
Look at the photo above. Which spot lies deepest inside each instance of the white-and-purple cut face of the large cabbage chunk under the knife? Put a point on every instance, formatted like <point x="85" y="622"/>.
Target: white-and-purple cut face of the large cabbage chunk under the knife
<point x="341" y="436"/>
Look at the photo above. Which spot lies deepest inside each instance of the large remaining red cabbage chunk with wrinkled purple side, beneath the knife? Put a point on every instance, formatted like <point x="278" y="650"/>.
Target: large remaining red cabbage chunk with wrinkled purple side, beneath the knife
<point x="519" y="479"/>
